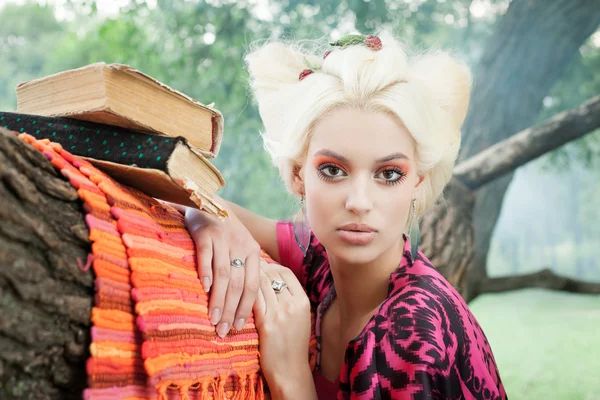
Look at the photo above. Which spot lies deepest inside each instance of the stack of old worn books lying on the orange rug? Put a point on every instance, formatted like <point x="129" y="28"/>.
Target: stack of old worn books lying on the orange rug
<point x="137" y="129"/>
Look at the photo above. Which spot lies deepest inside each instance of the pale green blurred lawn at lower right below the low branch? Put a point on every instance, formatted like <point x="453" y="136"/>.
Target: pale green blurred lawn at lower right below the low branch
<point x="546" y="344"/>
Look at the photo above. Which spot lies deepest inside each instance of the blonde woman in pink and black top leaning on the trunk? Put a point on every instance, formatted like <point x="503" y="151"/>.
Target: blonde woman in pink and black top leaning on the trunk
<point x="367" y="138"/>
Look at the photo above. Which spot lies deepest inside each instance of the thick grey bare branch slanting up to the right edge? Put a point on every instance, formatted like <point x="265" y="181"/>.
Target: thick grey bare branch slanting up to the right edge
<point x="508" y="155"/>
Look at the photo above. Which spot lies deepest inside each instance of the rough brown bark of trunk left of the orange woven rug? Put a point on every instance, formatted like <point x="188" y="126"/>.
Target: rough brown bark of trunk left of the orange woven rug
<point x="46" y="299"/>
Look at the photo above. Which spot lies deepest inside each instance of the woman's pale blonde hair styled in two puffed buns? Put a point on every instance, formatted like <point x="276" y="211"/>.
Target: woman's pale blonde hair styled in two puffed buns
<point x="428" y="93"/>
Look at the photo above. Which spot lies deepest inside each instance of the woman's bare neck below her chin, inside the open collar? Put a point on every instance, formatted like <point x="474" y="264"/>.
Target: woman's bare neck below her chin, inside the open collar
<point x="361" y="288"/>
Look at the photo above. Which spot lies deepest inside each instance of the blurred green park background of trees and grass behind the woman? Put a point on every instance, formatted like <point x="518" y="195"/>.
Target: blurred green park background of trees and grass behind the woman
<point x="549" y="215"/>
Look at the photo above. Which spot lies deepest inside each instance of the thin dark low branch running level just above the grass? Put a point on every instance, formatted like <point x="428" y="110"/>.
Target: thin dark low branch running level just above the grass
<point x="544" y="279"/>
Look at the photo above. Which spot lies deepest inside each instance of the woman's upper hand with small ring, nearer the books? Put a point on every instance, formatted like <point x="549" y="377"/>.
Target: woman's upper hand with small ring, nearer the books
<point x="233" y="290"/>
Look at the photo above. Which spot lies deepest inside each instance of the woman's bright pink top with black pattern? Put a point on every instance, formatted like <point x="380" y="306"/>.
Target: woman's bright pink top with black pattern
<point x="423" y="341"/>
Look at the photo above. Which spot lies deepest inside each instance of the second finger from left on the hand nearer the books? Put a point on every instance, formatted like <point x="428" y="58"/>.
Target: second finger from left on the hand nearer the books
<point x="221" y="271"/>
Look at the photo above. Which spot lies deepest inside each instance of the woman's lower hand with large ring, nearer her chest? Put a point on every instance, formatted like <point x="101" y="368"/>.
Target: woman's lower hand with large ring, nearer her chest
<point x="283" y="324"/>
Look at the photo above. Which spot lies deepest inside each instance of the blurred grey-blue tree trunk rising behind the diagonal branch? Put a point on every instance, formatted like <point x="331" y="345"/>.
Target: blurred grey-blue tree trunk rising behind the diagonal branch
<point x="526" y="56"/>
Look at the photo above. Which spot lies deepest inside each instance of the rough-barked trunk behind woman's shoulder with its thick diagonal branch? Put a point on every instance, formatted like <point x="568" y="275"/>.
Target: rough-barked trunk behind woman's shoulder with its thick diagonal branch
<point x="448" y="237"/>
